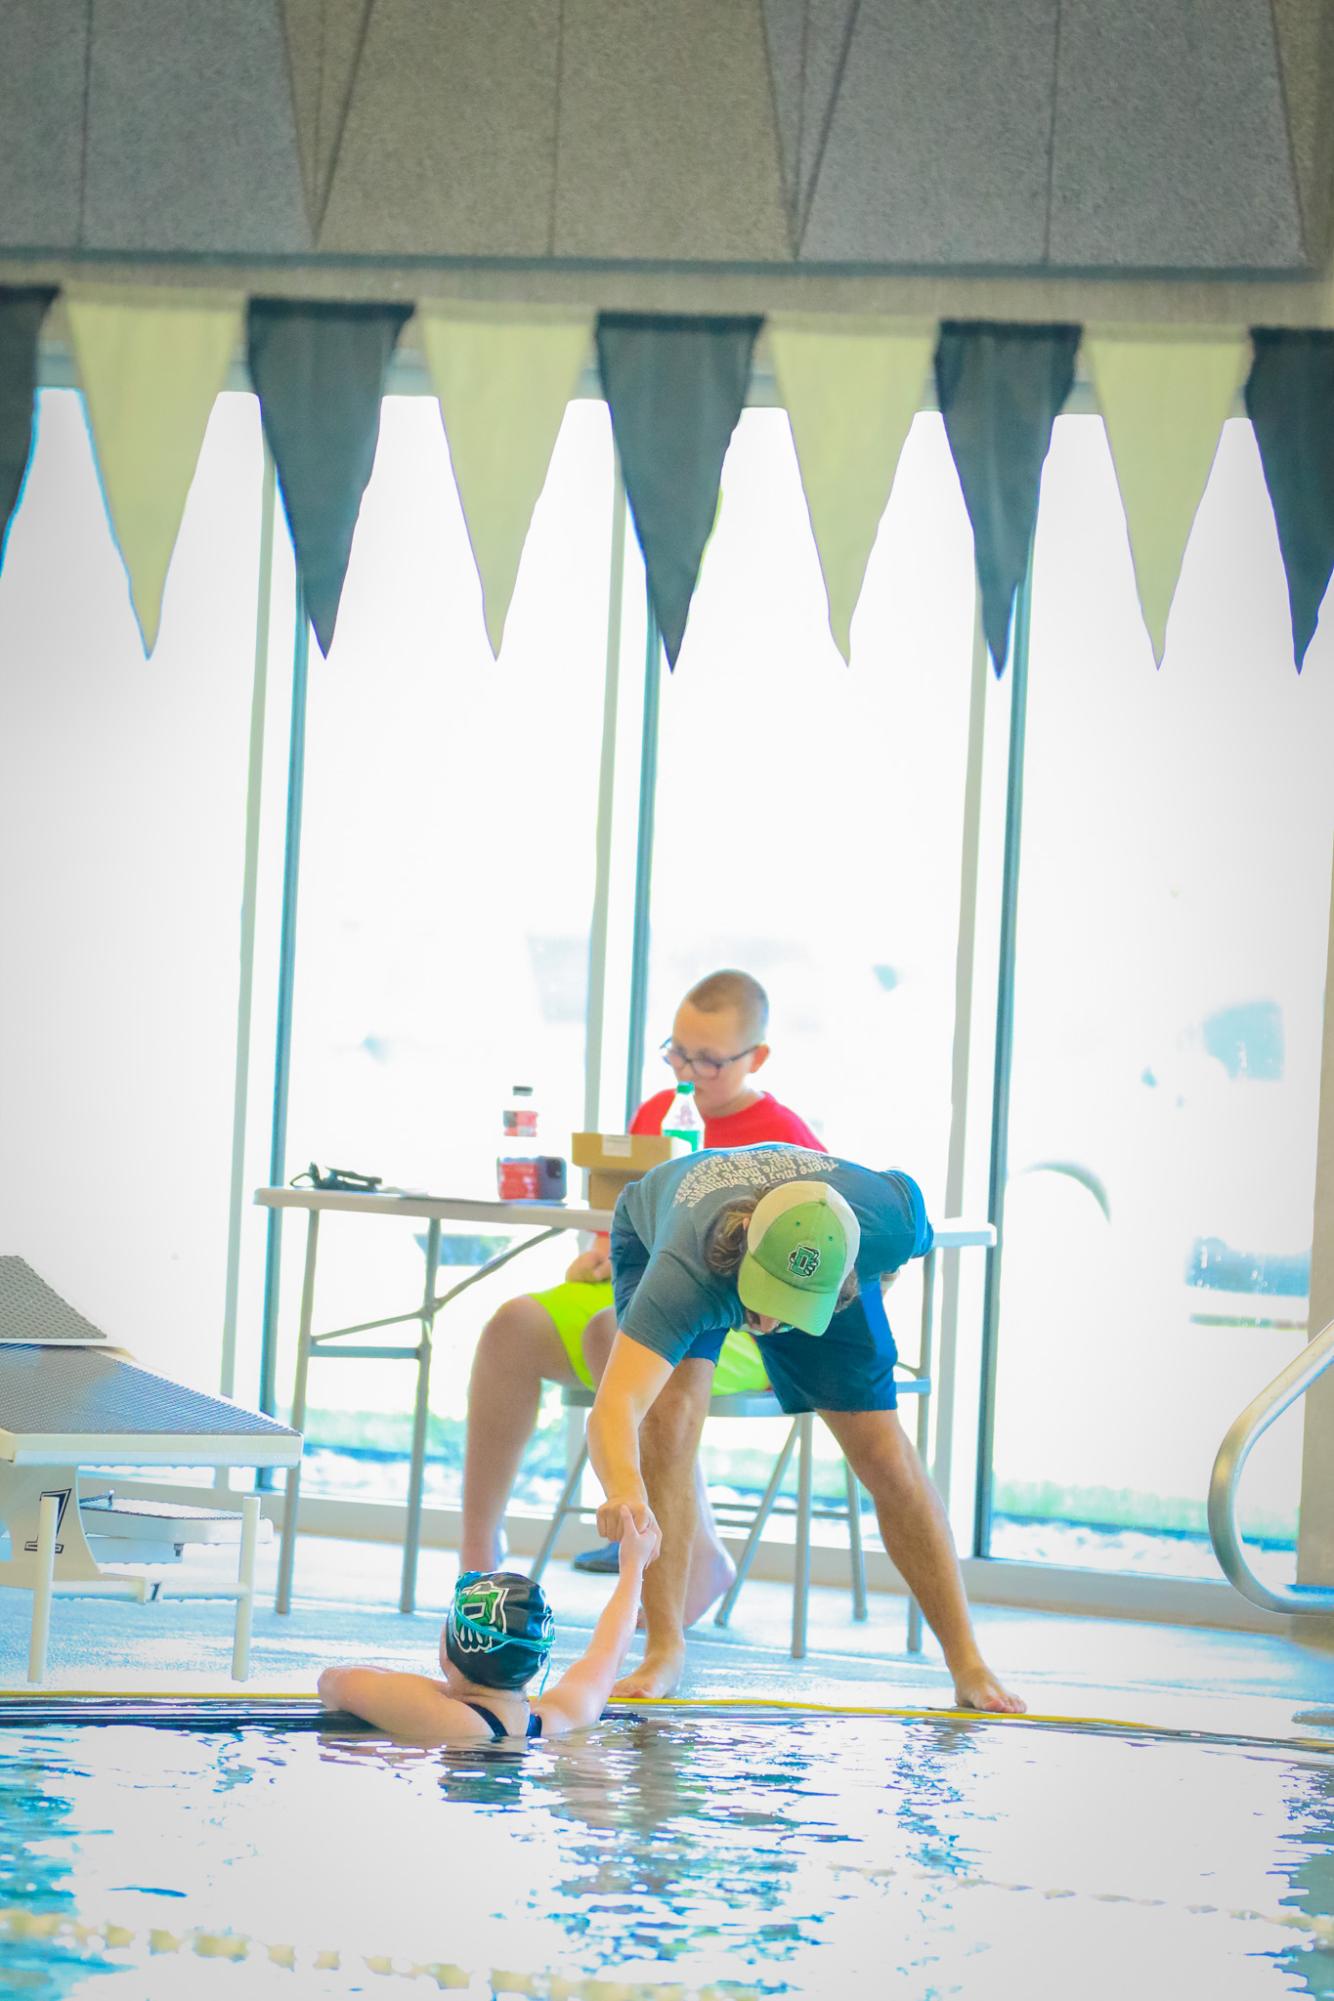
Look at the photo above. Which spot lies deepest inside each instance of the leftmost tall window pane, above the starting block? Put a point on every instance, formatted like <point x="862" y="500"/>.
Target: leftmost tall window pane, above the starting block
<point x="123" y="813"/>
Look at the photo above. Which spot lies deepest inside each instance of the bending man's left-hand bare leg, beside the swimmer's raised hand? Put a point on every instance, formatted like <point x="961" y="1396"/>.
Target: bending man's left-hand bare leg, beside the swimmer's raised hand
<point x="669" y="1448"/>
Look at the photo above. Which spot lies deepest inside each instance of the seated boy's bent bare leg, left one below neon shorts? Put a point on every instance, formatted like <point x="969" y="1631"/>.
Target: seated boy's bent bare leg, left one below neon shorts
<point x="517" y="1352"/>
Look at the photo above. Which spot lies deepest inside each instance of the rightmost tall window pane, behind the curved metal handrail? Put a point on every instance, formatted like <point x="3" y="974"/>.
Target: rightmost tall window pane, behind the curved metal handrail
<point x="1169" y="997"/>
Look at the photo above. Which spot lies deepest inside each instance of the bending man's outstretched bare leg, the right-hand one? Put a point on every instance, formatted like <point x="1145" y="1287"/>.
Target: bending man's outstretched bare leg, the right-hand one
<point x="917" y="1536"/>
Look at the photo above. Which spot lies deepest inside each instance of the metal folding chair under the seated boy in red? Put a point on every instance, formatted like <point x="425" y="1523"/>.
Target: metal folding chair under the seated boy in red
<point x="801" y="1434"/>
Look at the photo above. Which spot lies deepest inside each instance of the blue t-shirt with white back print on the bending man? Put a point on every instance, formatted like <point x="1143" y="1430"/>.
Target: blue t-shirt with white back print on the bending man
<point x="675" y="1208"/>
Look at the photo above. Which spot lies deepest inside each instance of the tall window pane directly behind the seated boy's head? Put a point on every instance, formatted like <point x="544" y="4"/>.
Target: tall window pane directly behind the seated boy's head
<point x="809" y="815"/>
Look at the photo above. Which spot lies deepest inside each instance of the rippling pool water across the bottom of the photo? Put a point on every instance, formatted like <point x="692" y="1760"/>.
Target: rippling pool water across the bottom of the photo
<point x="789" y="1856"/>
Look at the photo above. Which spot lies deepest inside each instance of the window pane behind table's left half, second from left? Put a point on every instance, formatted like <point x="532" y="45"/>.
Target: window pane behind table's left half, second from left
<point x="445" y="887"/>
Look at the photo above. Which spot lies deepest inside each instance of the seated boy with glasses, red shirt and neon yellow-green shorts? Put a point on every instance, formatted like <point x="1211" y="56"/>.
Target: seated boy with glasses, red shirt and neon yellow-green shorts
<point x="563" y="1336"/>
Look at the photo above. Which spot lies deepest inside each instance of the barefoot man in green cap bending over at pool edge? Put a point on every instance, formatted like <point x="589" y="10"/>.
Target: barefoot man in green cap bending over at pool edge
<point x="793" y="1246"/>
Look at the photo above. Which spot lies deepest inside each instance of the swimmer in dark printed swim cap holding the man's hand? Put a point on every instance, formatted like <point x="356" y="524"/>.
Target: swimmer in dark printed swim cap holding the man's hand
<point x="497" y="1636"/>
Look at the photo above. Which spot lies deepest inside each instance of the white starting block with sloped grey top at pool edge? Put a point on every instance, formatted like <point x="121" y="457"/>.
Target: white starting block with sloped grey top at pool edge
<point x="69" y="1400"/>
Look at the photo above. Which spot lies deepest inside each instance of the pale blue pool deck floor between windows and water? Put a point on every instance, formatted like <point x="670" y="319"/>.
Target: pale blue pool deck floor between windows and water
<point x="1103" y="1670"/>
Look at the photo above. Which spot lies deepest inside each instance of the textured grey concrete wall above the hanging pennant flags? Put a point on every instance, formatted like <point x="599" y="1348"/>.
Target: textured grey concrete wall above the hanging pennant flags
<point x="755" y="135"/>
